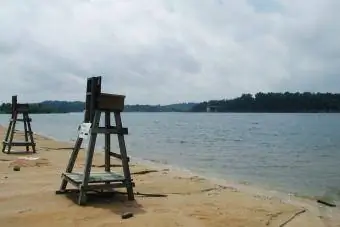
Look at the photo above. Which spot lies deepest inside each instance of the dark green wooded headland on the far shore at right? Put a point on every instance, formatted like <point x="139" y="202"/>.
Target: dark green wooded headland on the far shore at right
<point x="275" y="102"/>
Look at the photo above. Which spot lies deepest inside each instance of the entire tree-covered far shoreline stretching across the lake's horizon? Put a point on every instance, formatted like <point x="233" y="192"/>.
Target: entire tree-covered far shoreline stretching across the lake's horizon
<point x="260" y="102"/>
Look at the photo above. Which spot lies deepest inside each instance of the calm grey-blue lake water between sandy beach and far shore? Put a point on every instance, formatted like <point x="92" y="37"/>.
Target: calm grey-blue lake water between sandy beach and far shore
<point x="291" y="153"/>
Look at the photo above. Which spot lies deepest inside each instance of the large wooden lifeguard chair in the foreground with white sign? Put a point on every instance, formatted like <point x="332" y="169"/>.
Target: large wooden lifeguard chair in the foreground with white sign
<point x="96" y="103"/>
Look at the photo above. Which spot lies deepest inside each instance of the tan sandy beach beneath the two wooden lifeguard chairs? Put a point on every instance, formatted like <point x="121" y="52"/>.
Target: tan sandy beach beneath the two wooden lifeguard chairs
<point x="27" y="197"/>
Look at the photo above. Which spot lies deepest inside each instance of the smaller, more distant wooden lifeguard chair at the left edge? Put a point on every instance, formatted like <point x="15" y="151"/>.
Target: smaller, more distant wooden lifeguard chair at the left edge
<point x="29" y="140"/>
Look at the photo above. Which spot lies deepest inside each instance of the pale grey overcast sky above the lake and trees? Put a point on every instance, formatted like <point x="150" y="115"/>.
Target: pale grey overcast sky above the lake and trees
<point x="167" y="51"/>
